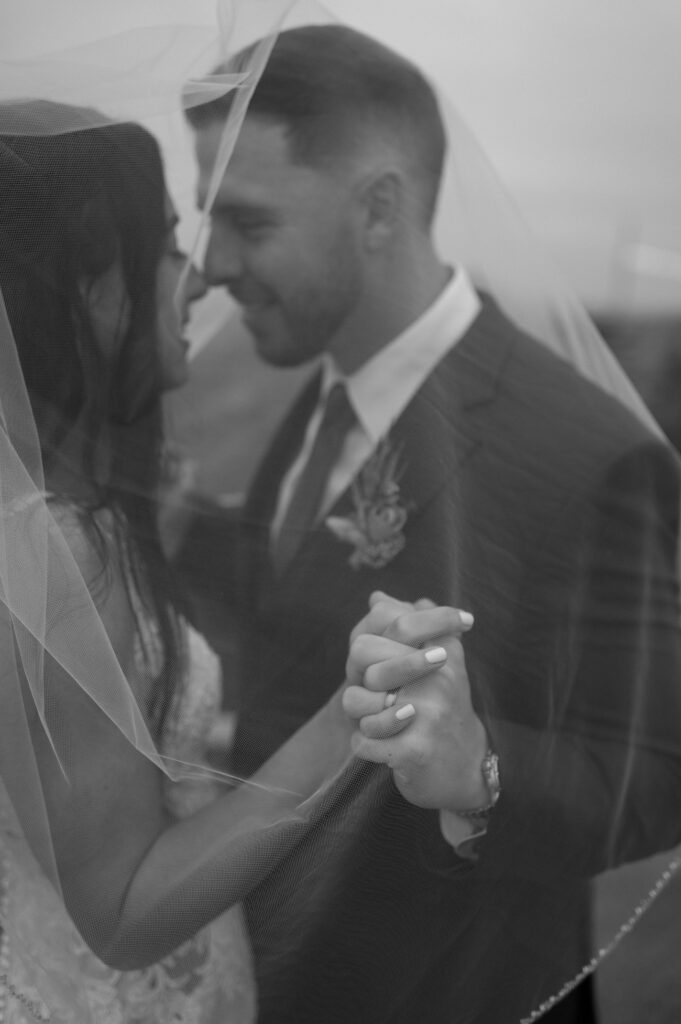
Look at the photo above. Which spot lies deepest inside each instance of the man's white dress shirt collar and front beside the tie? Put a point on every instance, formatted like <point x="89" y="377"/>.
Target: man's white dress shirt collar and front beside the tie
<point x="381" y="390"/>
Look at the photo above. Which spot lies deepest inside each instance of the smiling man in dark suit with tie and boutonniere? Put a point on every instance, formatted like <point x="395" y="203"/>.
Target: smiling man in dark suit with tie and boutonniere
<point x="439" y="452"/>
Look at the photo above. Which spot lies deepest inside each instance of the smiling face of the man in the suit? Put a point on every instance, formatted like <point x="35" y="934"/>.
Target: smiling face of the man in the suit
<point x="284" y="242"/>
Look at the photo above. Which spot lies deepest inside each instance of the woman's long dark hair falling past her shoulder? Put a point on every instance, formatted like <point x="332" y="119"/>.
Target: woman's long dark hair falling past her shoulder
<point x="73" y="207"/>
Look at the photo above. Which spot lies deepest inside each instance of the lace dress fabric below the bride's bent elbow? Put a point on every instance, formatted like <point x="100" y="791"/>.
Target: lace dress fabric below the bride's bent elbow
<point x="56" y="977"/>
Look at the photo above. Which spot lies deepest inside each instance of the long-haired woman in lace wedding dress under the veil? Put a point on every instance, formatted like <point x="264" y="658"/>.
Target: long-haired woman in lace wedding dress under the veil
<point x="122" y="867"/>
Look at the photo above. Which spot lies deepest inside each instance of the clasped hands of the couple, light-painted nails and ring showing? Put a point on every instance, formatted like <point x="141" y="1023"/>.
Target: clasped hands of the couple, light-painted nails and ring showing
<point x="410" y="696"/>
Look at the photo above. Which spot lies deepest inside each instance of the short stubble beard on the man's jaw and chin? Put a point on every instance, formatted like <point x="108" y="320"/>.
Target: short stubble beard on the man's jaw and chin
<point x="293" y="325"/>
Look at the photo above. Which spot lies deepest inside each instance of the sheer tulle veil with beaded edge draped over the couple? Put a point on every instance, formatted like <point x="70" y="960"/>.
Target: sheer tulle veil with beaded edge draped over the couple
<point x="454" y="579"/>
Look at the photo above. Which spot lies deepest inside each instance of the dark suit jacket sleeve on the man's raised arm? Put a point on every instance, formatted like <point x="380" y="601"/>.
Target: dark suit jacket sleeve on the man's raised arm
<point x="593" y="780"/>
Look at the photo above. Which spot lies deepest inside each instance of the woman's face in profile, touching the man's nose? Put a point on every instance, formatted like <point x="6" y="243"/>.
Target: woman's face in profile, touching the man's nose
<point x="177" y="288"/>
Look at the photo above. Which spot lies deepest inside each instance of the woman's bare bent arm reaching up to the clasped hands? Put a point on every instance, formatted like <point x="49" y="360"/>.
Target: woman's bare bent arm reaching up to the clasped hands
<point x="138" y="883"/>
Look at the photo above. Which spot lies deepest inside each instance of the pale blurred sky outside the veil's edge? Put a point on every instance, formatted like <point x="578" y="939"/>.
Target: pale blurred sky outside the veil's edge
<point x="576" y="102"/>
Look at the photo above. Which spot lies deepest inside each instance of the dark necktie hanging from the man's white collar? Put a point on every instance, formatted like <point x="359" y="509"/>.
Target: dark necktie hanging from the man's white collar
<point x="305" y="505"/>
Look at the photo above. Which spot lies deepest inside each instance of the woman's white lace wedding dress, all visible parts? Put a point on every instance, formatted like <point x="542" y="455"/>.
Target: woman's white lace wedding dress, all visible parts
<point x="208" y="980"/>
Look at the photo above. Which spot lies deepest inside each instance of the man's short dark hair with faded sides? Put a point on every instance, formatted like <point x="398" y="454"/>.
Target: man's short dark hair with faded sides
<point x="328" y="83"/>
